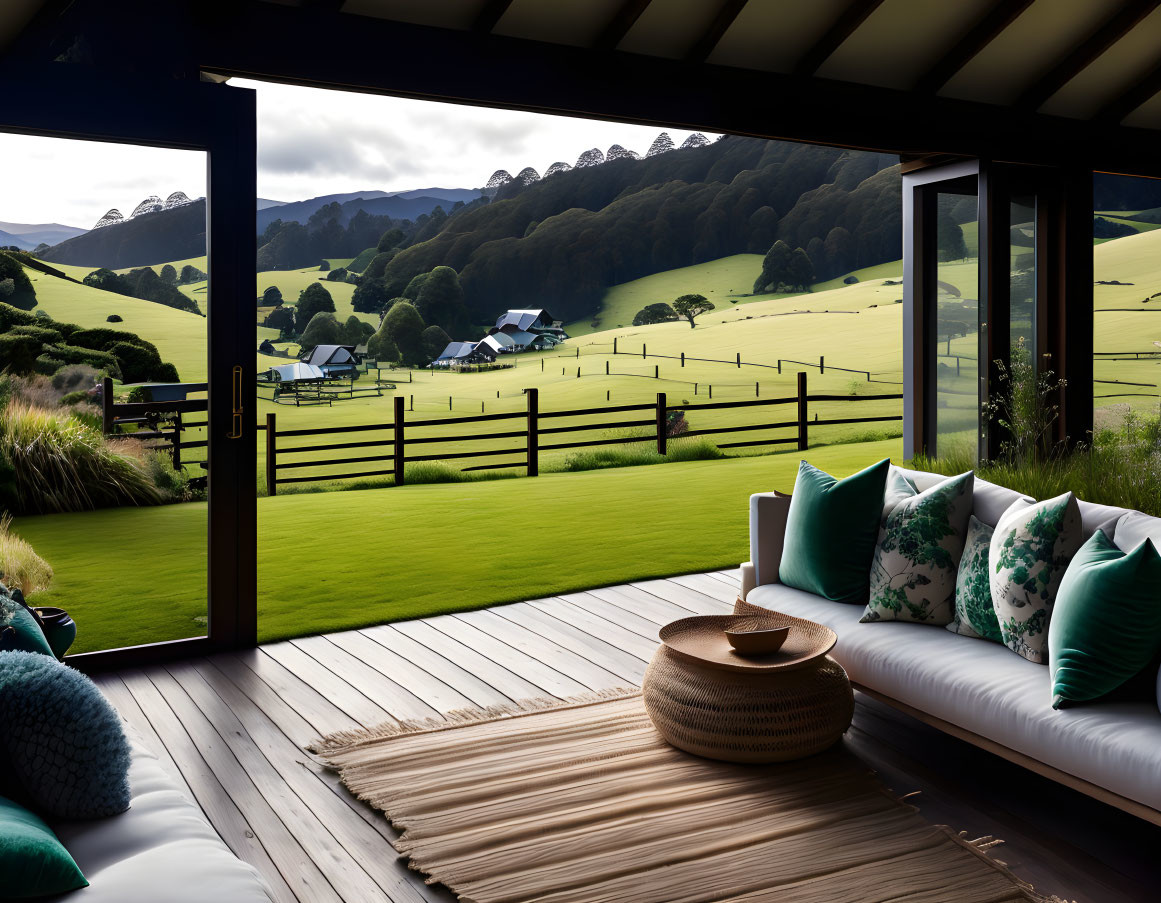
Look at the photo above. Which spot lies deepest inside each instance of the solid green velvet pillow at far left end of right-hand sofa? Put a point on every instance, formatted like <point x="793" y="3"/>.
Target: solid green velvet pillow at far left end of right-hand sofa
<point x="832" y="531"/>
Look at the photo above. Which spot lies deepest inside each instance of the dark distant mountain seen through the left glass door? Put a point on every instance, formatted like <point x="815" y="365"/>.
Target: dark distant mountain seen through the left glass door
<point x="149" y="239"/>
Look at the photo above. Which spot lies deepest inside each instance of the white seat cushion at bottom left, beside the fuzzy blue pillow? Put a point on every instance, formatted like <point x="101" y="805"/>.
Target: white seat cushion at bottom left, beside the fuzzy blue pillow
<point x="161" y="851"/>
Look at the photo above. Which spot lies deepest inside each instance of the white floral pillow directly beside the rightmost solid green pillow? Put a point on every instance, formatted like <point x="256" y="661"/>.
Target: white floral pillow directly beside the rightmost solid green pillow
<point x="1030" y="550"/>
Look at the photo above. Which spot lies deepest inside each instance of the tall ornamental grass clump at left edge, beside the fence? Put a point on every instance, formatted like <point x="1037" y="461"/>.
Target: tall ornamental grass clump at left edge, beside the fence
<point x="56" y="464"/>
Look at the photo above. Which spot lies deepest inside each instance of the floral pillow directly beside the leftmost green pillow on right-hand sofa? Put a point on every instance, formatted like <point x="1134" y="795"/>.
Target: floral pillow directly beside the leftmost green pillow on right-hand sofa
<point x="913" y="575"/>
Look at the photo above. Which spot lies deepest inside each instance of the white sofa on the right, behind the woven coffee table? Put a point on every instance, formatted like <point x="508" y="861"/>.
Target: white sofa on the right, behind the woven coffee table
<point x="975" y="689"/>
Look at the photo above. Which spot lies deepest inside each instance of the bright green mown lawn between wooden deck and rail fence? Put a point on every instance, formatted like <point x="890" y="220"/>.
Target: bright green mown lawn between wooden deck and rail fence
<point x="338" y="561"/>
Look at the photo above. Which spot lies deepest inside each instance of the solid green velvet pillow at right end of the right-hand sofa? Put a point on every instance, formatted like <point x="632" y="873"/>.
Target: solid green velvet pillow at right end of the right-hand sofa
<point x="1107" y="623"/>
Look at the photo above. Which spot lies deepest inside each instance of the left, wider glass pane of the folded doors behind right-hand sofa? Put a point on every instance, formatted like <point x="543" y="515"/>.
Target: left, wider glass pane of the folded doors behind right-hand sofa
<point x="957" y="326"/>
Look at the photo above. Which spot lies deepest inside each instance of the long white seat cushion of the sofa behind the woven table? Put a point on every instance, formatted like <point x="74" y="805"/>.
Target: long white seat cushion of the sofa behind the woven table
<point x="989" y="690"/>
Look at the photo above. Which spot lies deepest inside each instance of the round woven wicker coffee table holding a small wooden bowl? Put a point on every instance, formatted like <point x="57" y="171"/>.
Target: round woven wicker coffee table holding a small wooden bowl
<point x="706" y="699"/>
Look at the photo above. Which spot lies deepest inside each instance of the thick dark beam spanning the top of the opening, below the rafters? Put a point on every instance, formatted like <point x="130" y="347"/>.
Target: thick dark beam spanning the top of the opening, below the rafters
<point x="385" y="57"/>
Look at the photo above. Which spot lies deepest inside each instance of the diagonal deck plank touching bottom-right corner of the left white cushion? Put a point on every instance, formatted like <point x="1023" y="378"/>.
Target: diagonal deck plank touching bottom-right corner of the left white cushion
<point x="212" y="796"/>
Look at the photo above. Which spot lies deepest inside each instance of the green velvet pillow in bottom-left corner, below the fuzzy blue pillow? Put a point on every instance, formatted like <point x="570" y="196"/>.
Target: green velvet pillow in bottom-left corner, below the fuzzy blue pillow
<point x="33" y="862"/>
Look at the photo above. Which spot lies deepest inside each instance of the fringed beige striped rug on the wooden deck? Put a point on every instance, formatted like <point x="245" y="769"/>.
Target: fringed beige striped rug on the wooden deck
<point x="583" y="803"/>
